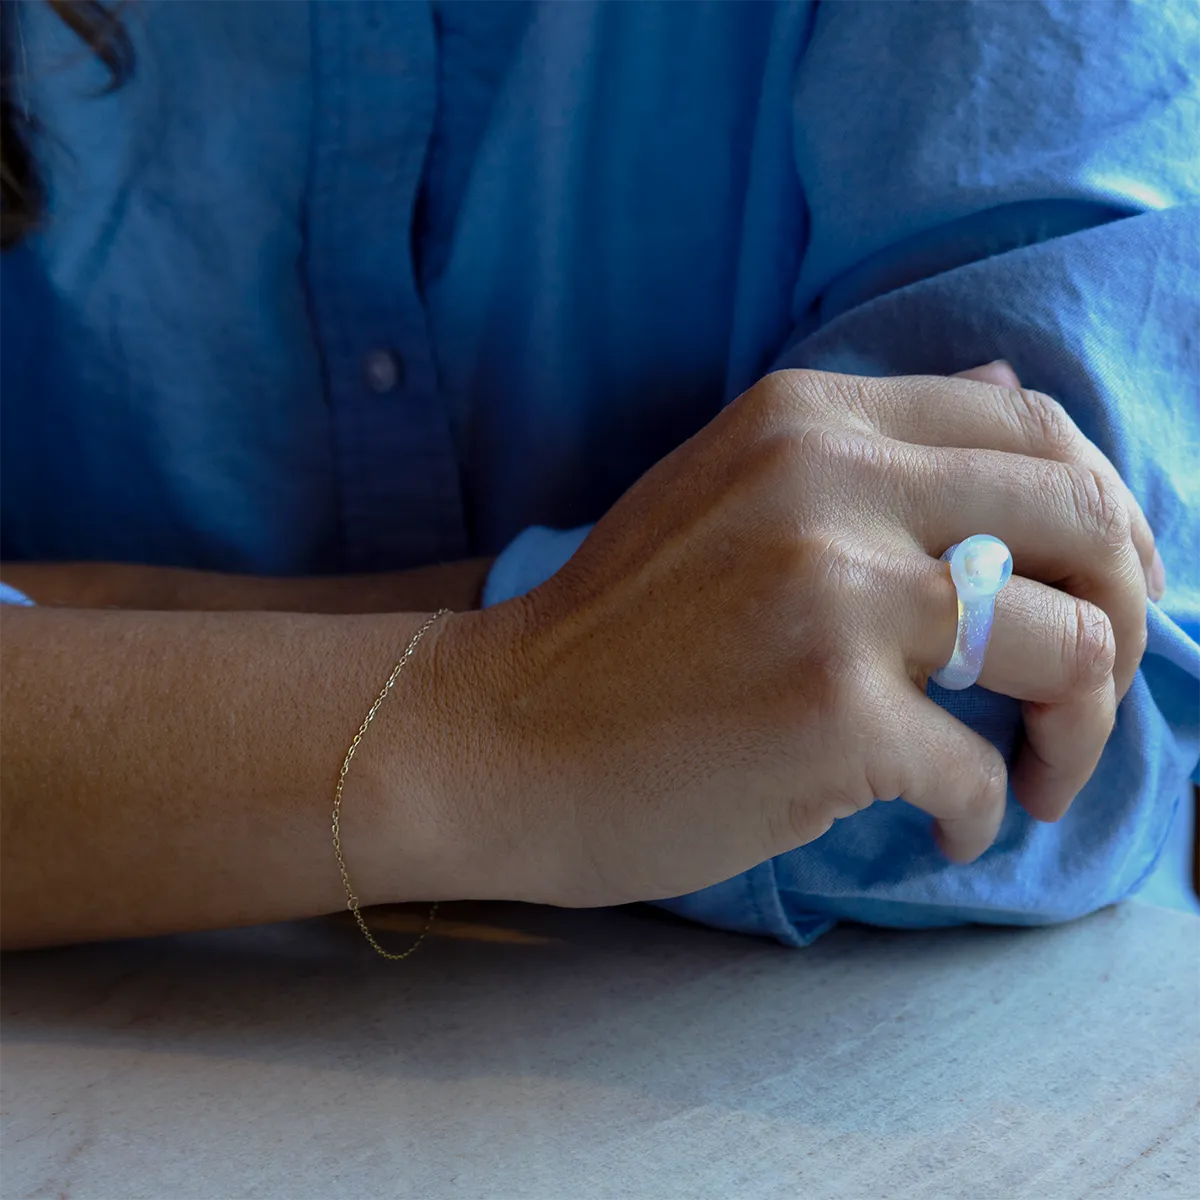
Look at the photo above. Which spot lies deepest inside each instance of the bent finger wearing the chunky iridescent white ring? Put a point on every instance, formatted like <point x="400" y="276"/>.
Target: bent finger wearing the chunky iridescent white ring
<point x="1057" y="655"/>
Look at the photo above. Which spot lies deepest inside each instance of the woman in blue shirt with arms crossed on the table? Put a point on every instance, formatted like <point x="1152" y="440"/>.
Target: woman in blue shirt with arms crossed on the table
<point x="333" y="302"/>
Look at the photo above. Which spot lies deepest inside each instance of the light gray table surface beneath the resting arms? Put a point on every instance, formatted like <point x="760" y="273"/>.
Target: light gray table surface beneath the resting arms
<point x="551" y="1055"/>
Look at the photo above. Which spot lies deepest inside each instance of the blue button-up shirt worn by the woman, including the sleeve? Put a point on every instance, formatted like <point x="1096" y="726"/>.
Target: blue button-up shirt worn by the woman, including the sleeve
<point x="339" y="285"/>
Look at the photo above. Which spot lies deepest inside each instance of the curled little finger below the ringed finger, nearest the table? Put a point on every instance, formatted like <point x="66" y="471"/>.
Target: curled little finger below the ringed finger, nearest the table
<point x="946" y="770"/>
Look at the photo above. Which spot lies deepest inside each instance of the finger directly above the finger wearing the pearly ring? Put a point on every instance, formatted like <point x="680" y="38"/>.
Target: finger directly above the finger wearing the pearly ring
<point x="1065" y="526"/>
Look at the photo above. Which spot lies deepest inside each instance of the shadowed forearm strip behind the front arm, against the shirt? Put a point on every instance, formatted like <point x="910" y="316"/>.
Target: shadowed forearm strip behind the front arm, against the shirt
<point x="454" y="586"/>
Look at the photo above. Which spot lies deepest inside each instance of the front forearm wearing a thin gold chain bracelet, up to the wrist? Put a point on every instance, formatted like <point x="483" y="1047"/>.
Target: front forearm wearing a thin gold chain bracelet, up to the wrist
<point x="164" y="772"/>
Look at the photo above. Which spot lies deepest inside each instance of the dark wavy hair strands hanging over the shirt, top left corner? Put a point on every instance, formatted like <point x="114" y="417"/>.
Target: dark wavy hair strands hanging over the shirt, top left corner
<point x="100" y="28"/>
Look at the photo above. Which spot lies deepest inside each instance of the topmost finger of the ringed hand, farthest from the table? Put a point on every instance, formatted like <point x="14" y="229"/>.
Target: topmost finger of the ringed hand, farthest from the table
<point x="973" y="415"/>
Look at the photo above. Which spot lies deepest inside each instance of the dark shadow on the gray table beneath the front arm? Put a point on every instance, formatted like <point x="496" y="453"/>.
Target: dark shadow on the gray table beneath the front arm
<point x="627" y="997"/>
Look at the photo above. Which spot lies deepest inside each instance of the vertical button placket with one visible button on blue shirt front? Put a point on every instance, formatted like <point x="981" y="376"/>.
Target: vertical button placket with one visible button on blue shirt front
<point x="398" y="472"/>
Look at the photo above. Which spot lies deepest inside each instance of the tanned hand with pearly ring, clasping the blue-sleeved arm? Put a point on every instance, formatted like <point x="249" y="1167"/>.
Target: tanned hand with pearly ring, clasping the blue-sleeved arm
<point x="739" y="655"/>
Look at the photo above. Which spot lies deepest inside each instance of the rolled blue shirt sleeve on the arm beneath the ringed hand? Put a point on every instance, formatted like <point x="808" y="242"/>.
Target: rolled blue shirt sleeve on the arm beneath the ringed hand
<point x="992" y="179"/>
